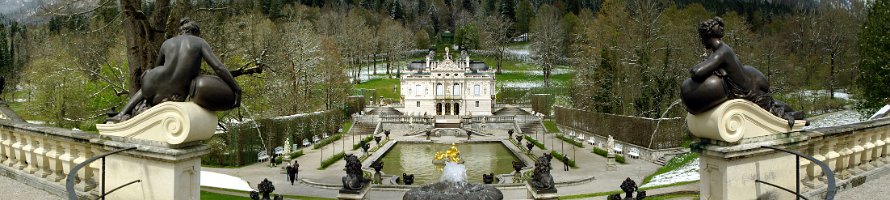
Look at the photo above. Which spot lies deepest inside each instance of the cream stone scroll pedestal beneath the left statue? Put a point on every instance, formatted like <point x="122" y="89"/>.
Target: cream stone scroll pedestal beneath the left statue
<point x="167" y="161"/>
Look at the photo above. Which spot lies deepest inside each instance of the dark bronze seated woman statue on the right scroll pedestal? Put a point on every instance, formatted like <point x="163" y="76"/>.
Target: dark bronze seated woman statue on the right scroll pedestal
<point x="722" y="77"/>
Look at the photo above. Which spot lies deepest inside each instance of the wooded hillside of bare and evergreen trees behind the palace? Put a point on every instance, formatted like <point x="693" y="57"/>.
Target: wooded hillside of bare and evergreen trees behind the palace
<point x="71" y="60"/>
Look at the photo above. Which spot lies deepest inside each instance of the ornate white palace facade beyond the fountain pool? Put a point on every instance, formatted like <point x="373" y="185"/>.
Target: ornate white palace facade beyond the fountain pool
<point x="448" y="87"/>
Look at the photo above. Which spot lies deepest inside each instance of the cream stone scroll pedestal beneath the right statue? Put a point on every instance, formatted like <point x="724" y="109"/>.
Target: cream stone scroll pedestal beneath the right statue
<point x="732" y="159"/>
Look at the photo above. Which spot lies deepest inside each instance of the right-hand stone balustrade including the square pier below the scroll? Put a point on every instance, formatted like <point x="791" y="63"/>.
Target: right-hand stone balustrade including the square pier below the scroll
<point x="854" y="152"/>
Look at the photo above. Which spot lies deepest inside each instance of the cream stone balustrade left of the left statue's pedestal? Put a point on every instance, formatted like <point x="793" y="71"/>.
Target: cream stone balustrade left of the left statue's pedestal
<point x="42" y="157"/>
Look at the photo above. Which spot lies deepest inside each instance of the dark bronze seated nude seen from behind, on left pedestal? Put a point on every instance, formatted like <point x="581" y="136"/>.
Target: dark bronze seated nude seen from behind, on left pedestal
<point x="177" y="77"/>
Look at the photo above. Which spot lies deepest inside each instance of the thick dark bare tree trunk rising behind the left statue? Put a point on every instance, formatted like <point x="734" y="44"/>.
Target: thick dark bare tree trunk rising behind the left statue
<point x="144" y="34"/>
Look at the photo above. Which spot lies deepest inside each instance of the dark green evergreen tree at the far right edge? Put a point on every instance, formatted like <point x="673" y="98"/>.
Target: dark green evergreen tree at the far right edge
<point x="874" y="74"/>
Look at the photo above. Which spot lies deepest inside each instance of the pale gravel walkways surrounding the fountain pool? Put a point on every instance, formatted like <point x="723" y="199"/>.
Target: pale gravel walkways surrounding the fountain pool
<point x="589" y="164"/>
